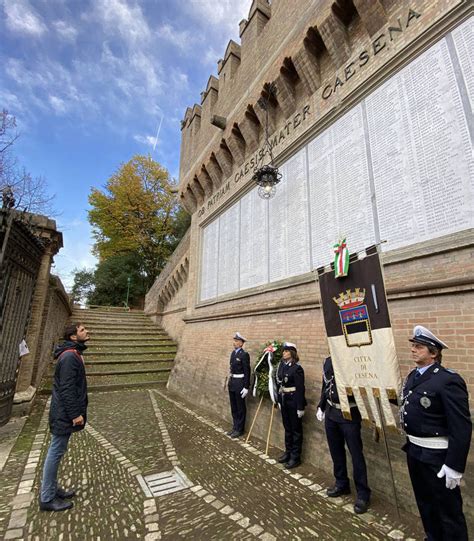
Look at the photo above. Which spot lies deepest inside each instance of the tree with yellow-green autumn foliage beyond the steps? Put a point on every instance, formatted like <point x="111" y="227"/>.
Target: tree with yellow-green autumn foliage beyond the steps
<point x="137" y="213"/>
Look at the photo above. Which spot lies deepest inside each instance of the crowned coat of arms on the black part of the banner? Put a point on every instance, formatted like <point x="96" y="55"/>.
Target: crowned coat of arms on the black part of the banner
<point x="354" y="317"/>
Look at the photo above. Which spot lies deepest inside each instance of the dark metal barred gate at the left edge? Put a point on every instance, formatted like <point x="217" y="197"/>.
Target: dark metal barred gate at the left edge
<point x="20" y="260"/>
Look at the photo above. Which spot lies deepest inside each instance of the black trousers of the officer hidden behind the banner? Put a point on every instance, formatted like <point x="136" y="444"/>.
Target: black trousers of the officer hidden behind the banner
<point x="337" y="434"/>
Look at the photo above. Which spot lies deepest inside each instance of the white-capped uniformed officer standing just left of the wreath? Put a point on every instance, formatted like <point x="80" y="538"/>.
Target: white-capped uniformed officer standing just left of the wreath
<point x="238" y="386"/>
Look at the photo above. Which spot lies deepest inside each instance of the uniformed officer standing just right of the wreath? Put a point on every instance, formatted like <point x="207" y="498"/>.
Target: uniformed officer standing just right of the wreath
<point x="292" y="401"/>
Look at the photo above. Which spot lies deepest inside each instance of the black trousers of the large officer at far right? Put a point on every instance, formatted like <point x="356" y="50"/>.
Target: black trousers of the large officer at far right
<point x="440" y="508"/>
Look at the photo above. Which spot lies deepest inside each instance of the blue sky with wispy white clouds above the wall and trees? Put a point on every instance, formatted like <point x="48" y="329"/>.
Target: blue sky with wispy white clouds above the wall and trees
<point x="89" y="82"/>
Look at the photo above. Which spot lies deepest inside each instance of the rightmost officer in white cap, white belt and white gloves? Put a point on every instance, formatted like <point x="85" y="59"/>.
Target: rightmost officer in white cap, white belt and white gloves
<point x="435" y="416"/>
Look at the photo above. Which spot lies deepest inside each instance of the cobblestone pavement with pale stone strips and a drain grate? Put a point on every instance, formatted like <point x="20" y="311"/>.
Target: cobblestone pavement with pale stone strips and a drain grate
<point x="230" y="489"/>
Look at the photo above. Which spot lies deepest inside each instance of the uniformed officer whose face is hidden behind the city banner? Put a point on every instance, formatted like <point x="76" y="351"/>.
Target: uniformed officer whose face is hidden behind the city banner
<point x="340" y="431"/>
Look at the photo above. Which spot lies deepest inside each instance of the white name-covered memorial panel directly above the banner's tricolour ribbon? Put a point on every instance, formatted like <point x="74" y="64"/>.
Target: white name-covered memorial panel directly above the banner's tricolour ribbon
<point x="341" y="203"/>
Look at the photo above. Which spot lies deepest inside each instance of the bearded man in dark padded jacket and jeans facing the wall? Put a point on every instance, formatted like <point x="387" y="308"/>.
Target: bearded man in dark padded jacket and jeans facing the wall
<point x="68" y="413"/>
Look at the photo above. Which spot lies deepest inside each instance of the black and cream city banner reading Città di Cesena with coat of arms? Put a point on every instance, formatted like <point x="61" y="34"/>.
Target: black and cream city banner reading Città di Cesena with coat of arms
<point x="360" y="336"/>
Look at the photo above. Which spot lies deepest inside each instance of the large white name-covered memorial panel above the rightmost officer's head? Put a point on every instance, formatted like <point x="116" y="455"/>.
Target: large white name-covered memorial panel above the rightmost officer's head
<point x="421" y="152"/>
